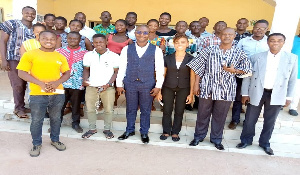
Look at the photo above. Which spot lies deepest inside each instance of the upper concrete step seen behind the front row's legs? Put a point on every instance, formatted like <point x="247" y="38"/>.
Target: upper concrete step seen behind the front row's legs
<point x="119" y="120"/>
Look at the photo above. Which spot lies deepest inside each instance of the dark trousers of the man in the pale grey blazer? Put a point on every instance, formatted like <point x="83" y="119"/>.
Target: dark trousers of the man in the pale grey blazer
<point x="270" y="115"/>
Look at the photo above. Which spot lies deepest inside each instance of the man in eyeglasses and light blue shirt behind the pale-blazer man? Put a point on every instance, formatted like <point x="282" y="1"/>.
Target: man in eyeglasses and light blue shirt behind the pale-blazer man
<point x="250" y="45"/>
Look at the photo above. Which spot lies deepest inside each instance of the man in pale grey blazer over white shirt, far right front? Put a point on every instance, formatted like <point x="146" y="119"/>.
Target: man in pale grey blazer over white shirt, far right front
<point x="272" y="85"/>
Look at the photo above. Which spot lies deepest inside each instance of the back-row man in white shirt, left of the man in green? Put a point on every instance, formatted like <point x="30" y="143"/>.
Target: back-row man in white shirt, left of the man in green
<point x="85" y="31"/>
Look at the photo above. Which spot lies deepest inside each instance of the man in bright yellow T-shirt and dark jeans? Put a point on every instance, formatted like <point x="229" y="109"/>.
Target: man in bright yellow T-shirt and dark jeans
<point x="46" y="70"/>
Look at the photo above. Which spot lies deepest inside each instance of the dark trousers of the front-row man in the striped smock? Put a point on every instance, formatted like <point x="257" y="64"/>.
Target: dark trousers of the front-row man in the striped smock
<point x="218" y="110"/>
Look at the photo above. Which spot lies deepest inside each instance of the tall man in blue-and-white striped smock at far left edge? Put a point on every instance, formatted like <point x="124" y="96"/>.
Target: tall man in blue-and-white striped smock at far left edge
<point x="13" y="33"/>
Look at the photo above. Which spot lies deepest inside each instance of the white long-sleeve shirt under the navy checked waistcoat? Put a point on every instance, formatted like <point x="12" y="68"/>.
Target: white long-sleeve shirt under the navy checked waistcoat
<point x="159" y="64"/>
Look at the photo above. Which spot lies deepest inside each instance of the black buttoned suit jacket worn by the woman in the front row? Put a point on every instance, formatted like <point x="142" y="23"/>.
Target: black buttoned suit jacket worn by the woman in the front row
<point x="177" y="77"/>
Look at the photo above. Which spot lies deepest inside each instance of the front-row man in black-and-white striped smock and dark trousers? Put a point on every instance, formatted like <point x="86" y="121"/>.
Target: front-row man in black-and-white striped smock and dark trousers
<point x="216" y="68"/>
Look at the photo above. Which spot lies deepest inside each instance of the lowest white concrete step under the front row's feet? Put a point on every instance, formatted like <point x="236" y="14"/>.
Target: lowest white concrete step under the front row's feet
<point x="285" y="141"/>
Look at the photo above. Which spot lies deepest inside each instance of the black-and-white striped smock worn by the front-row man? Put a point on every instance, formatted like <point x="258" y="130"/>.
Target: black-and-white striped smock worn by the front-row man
<point x="215" y="81"/>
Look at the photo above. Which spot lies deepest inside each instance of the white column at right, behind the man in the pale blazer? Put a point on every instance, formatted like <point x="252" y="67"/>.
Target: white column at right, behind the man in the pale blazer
<point x="285" y="21"/>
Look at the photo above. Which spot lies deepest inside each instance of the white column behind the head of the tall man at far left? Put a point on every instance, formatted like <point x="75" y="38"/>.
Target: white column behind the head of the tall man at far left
<point x="19" y="4"/>
